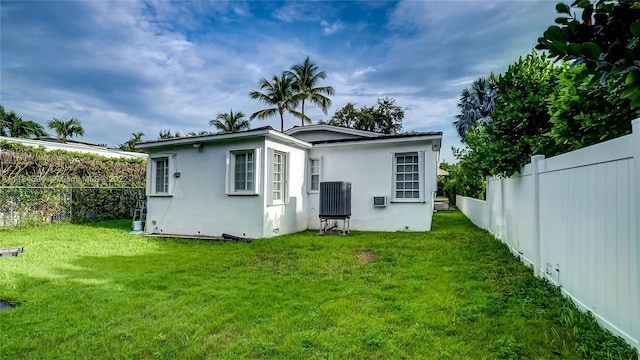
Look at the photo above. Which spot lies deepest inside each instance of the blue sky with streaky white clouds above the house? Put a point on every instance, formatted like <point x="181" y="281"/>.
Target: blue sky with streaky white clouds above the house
<point x="127" y="66"/>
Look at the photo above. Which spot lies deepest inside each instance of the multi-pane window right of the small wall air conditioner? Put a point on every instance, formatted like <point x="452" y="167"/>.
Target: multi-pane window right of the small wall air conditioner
<point x="406" y="172"/>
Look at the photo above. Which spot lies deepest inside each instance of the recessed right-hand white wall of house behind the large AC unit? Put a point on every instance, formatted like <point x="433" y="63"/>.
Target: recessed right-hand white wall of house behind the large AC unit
<point x="403" y="172"/>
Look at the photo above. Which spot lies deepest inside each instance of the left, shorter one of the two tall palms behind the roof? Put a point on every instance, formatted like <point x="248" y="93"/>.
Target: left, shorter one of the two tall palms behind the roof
<point x="279" y="94"/>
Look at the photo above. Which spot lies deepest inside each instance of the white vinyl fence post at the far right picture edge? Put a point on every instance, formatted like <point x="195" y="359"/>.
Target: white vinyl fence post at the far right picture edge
<point x="635" y="231"/>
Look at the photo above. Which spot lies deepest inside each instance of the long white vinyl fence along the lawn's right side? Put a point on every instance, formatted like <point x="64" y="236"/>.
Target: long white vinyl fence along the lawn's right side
<point x="574" y="218"/>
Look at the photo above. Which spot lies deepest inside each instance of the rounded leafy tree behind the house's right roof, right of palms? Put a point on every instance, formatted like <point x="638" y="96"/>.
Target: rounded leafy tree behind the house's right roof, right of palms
<point x="384" y="117"/>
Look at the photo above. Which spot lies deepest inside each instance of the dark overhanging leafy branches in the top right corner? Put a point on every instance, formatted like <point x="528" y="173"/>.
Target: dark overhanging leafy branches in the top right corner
<point x="605" y="38"/>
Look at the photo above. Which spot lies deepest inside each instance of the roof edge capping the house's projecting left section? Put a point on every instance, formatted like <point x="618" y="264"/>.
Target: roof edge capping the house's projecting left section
<point x="265" y="131"/>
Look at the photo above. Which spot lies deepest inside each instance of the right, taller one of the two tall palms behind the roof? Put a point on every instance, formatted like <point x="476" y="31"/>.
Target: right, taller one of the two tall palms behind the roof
<point x="305" y="76"/>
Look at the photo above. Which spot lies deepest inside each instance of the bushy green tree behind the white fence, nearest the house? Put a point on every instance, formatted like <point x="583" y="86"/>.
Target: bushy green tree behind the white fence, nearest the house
<point x="520" y="120"/>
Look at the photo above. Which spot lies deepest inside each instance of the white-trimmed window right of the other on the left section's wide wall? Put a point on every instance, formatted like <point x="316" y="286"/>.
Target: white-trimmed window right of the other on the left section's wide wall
<point x="242" y="172"/>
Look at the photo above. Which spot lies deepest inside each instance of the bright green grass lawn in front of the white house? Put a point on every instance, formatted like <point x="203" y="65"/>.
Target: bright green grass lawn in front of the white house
<point x="93" y="291"/>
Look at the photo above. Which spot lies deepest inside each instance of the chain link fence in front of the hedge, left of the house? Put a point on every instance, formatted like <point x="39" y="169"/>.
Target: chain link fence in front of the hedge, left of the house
<point x="19" y="205"/>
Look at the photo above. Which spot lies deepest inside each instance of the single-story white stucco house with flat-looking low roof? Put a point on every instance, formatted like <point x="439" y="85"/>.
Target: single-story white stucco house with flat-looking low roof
<point x="261" y="183"/>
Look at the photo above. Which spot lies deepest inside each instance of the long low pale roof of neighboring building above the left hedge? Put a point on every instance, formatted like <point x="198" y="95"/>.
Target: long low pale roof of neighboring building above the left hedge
<point x="50" y="144"/>
